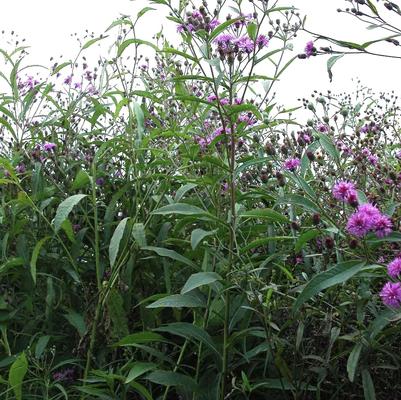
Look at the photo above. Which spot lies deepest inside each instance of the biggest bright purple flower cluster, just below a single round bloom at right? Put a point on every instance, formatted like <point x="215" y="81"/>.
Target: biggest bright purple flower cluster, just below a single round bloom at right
<point x="368" y="218"/>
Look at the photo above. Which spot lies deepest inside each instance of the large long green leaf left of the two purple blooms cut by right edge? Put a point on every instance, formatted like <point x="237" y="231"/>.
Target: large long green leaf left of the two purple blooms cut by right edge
<point x="334" y="276"/>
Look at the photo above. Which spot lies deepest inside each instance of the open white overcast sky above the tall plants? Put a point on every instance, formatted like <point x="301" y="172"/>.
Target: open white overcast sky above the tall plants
<point x="47" y="26"/>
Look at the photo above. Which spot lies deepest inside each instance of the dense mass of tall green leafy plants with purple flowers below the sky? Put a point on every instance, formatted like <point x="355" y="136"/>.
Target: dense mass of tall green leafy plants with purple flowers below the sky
<point x="169" y="232"/>
